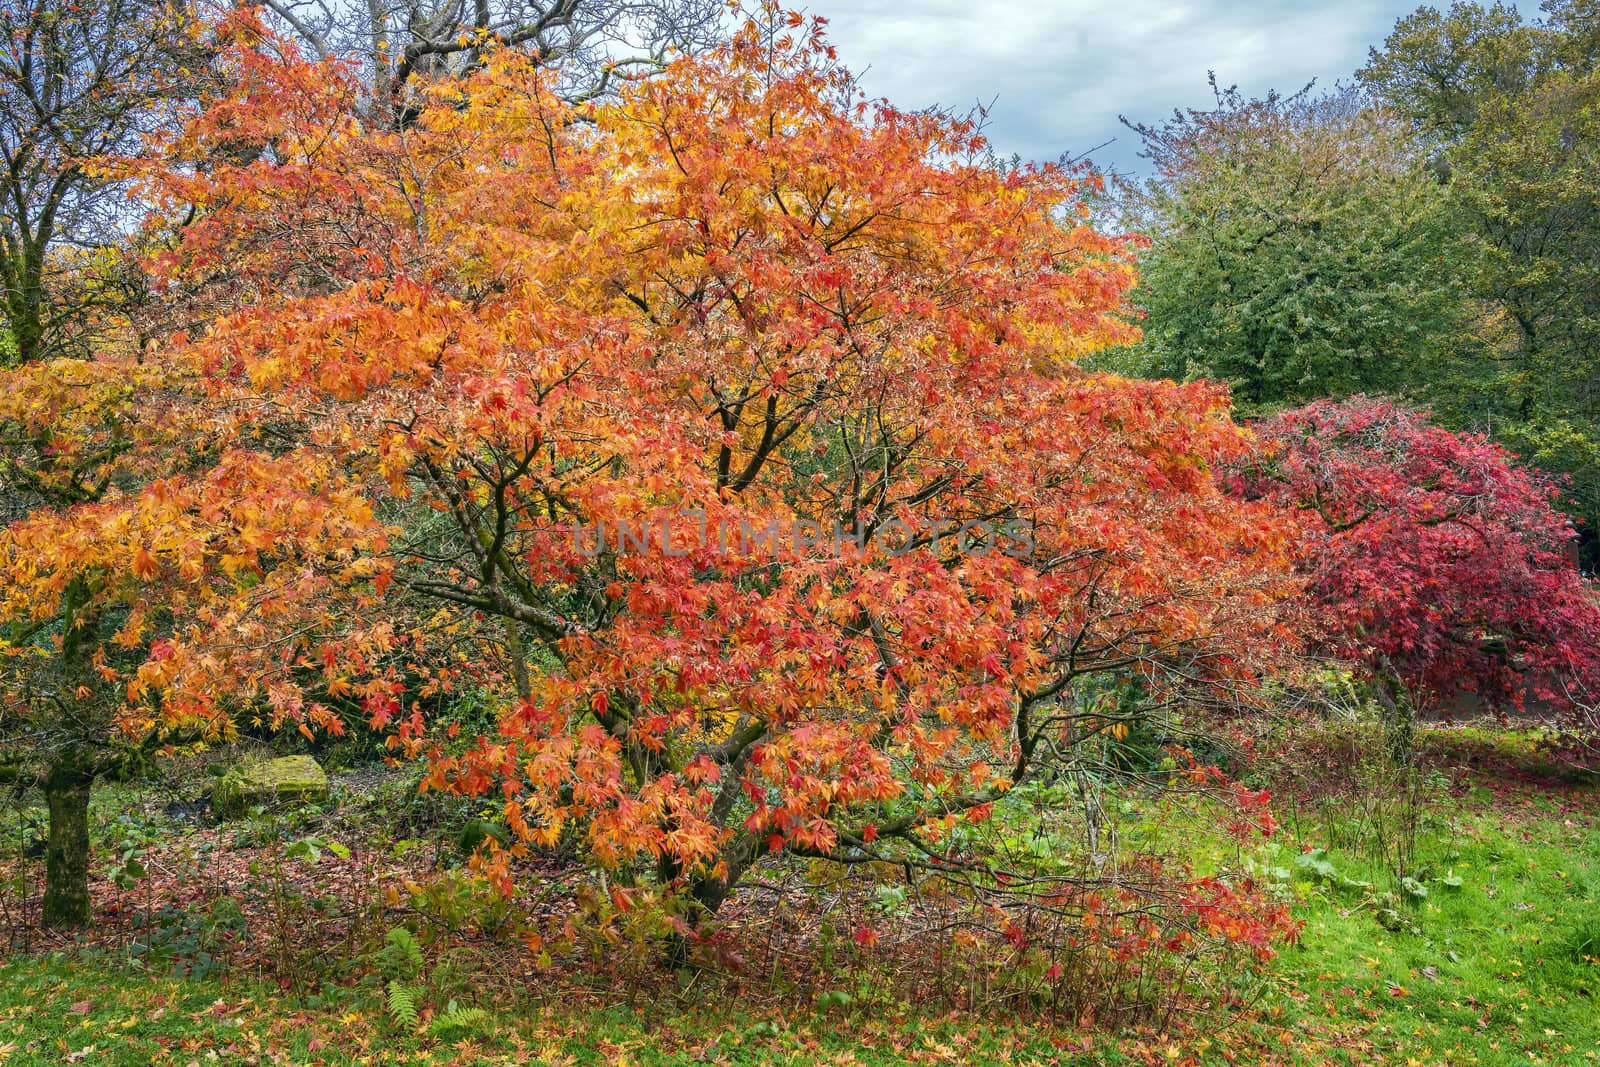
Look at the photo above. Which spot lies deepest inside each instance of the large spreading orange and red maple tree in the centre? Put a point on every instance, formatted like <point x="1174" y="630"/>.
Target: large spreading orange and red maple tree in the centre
<point x="745" y="415"/>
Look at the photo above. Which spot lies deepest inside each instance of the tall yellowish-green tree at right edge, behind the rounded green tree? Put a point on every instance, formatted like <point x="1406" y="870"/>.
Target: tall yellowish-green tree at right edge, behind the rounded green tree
<point x="1511" y="113"/>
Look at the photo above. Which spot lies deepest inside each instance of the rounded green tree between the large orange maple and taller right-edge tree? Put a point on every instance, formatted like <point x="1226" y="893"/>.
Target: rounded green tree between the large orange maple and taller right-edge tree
<point x="1300" y="249"/>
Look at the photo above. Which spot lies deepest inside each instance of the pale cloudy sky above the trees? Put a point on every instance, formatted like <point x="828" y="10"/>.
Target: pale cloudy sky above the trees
<point x="1062" y="71"/>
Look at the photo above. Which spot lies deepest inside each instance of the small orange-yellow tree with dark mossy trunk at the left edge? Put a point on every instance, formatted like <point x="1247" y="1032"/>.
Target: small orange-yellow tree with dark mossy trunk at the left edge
<point x="162" y="583"/>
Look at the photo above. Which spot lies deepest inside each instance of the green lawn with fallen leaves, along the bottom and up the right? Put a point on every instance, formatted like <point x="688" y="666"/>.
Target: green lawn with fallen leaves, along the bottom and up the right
<point x="1503" y="970"/>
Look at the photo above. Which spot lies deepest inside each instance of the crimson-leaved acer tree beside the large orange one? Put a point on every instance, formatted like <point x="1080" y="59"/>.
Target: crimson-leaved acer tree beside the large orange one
<point x="1436" y="562"/>
